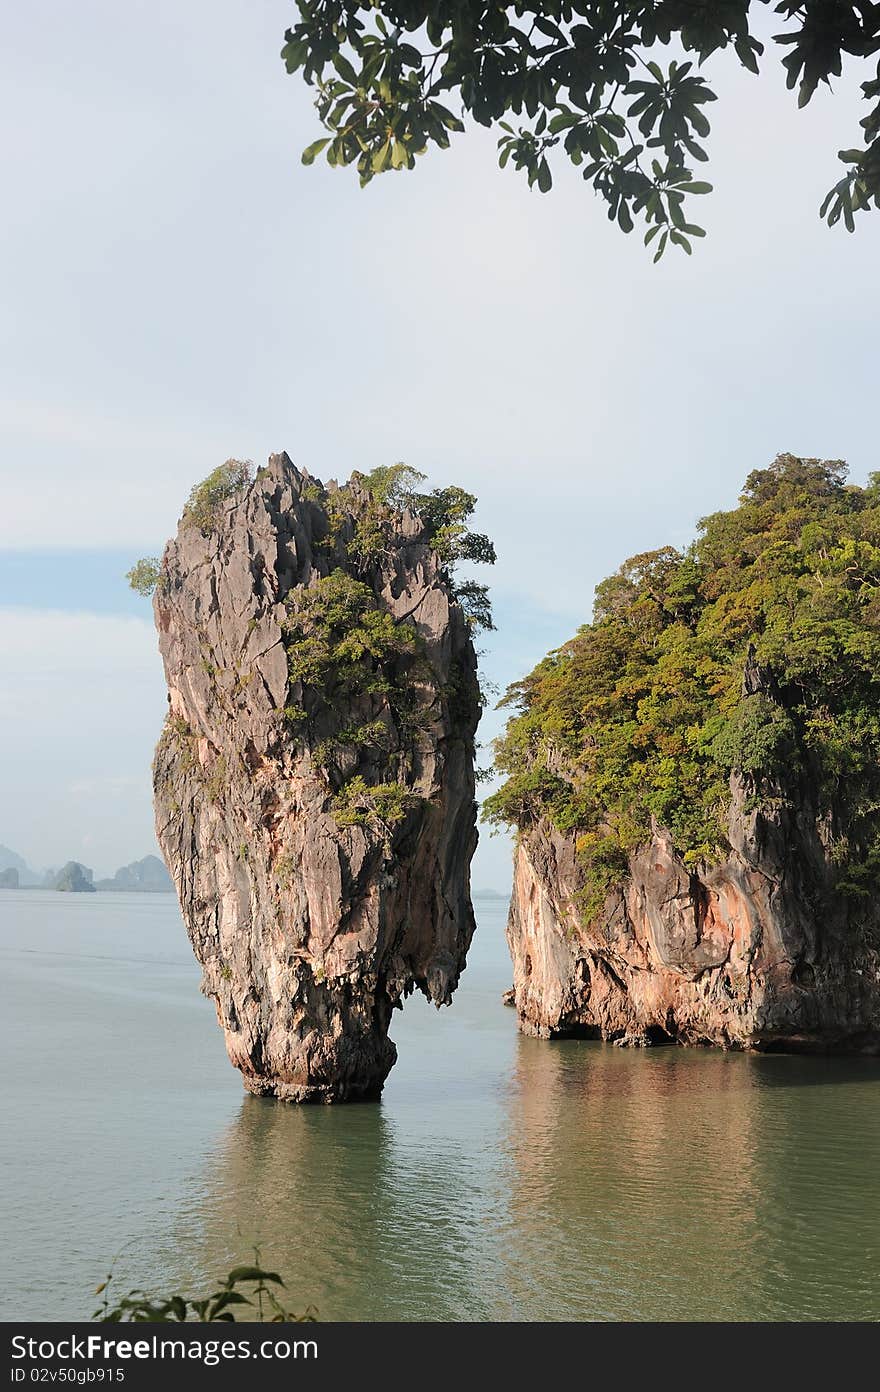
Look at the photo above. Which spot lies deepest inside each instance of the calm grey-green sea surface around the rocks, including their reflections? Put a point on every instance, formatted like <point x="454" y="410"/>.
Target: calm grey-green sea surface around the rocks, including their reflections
<point x="501" y="1178"/>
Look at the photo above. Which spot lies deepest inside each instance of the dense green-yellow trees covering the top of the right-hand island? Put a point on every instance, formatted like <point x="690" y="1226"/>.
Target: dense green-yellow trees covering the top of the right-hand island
<point x="644" y="716"/>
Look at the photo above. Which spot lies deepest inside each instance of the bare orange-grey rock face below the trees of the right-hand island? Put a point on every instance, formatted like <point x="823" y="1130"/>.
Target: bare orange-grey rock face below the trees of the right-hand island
<point x="754" y="953"/>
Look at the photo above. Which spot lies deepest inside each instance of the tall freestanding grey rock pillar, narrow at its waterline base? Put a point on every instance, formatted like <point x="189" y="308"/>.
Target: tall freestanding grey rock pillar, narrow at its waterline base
<point x="314" y="786"/>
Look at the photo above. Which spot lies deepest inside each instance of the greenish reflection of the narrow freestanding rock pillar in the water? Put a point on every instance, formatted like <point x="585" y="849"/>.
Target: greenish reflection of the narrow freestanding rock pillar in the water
<point x="364" y="1223"/>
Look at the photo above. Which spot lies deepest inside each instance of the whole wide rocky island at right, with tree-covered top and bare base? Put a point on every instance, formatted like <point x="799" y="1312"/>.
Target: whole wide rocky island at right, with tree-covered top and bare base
<point x="696" y="784"/>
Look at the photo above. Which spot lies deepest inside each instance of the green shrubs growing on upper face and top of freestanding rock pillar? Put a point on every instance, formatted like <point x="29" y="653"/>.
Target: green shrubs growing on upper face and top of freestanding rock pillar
<point x="346" y="651"/>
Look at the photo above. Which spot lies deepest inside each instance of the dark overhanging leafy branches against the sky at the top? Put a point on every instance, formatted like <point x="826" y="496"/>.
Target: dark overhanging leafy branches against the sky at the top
<point x="587" y="79"/>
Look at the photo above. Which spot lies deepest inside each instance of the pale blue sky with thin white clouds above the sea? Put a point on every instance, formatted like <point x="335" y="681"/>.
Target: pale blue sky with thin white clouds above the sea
<point x="179" y="290"/>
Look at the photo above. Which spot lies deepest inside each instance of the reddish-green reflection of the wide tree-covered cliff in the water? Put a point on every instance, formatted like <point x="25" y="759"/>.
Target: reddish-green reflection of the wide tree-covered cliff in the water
<point x="677" y="1185"/>
